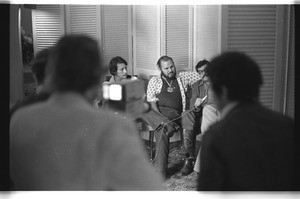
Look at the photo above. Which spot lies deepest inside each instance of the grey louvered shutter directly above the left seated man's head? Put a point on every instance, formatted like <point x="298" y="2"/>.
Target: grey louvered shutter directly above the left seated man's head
<point x="116" y="33"/>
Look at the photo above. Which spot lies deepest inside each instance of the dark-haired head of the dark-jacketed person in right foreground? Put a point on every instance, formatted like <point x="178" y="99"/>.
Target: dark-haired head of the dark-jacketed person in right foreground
<point x="238" y="73"/>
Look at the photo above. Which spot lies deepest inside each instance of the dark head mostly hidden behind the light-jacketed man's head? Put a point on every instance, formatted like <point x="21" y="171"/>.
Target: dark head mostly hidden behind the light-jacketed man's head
<point x="39" y="65"/>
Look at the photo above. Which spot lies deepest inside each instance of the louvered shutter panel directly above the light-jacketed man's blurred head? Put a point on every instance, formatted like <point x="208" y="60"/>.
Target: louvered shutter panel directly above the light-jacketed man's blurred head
<point x="83" y="19"/>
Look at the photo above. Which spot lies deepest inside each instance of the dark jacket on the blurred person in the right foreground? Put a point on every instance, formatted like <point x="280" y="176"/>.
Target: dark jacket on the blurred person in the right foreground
<point x="252" y="148"/>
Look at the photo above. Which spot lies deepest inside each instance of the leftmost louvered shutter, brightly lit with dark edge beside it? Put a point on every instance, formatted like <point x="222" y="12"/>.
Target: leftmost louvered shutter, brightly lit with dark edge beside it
<point x="48" y="25"/>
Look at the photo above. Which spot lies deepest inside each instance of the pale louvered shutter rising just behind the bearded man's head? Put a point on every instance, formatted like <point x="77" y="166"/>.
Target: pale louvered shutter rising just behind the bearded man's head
<point x="177" y="33"/>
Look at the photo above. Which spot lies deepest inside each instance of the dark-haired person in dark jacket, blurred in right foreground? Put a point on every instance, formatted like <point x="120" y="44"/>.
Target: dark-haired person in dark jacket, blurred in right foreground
<point x="251" y="147"/>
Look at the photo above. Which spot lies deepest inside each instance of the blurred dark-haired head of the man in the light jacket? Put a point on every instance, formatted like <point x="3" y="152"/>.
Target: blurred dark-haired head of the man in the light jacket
<point x="75" y="64"/>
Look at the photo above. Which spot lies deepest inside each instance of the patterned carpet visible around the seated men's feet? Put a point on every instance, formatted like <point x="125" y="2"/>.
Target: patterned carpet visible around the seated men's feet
<point x="175" y="181"/>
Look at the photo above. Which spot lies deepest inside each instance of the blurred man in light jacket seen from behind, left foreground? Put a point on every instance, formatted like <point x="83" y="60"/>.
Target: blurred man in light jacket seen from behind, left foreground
<point x="66" y="144"/>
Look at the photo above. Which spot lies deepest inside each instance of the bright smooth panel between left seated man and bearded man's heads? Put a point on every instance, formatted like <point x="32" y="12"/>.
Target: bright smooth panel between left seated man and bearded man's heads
<point x="146" y="39"/>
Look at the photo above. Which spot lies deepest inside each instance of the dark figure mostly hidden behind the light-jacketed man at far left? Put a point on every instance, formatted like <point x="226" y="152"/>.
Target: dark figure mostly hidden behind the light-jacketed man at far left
<point x="38" y="71"/>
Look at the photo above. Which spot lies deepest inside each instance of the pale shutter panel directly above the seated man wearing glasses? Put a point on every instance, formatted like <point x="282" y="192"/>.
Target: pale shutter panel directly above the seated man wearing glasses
<point x="206" y="32"/>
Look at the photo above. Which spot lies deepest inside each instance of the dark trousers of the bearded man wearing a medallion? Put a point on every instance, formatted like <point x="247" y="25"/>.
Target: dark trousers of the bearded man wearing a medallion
<point x="162" y="137"/>
